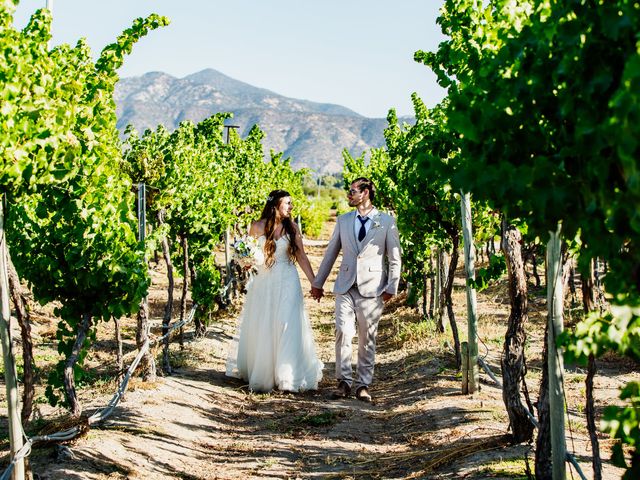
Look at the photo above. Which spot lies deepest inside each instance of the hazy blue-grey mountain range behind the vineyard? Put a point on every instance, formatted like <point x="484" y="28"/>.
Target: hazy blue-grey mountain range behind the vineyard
<point x="312" y="134"/>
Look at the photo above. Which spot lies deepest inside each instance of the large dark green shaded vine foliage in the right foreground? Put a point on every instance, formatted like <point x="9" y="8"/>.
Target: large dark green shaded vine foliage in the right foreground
<point x="543" y="98"/>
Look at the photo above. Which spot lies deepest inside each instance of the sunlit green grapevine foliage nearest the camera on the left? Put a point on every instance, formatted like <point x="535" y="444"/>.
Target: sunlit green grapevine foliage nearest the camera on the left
<point x="70" y="224"/>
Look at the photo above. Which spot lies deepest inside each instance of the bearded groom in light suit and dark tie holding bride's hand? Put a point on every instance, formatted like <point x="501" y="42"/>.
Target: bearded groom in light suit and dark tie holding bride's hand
<point x="365" y="281"/>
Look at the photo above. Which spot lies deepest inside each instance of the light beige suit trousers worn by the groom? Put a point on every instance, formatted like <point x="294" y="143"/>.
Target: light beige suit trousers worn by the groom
<point x="351" y="307"/>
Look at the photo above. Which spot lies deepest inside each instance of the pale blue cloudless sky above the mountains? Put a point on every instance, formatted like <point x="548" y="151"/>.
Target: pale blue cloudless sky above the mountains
<point x="356" y="53"/>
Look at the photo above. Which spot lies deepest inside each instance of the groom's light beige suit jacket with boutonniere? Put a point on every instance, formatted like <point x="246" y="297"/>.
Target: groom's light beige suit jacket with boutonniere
<point x="363" y="262"/>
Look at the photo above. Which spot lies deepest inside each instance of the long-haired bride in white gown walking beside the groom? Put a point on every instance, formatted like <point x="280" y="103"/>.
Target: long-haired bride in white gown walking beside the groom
<point x="274" y="346"/>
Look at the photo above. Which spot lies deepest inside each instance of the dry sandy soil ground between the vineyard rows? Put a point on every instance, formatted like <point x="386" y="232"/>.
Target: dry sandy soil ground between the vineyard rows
<point x="199" y="424"/>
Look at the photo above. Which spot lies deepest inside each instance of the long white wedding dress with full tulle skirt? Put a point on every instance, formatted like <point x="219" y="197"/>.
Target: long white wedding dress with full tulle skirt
<point x="274" y="346"/>
